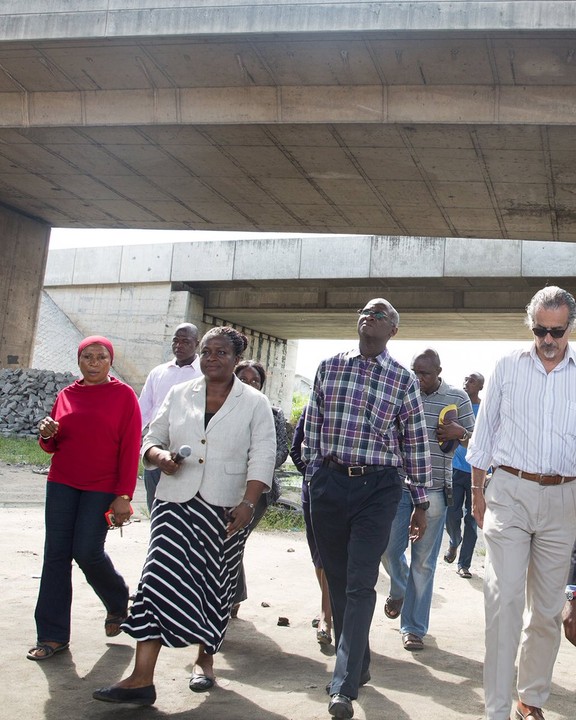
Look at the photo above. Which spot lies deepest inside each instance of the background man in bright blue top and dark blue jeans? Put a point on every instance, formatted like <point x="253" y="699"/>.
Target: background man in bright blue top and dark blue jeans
<point x="462" y="495"/>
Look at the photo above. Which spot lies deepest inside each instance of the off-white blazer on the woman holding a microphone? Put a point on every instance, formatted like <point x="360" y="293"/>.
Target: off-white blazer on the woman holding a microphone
<point x="238" y="445"/>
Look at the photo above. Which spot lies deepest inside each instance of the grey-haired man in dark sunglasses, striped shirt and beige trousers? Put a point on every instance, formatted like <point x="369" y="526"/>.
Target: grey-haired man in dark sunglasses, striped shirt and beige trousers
<point x="526" y="428"/>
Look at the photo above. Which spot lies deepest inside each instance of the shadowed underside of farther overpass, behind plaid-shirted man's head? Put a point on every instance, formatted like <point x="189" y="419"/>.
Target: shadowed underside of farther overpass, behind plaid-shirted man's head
<point x="429" y="309"/>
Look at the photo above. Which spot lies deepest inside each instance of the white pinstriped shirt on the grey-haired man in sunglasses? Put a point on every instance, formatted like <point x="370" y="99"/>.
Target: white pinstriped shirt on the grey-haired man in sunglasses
<point x="527" y="419"/>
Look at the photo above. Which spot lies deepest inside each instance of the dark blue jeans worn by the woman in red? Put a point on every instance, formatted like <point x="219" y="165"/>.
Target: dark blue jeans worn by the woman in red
<point x="75" y="530"/>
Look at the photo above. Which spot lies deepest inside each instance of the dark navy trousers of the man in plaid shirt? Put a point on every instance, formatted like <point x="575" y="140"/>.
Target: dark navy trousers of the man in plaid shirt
<point x="352" y="518"/>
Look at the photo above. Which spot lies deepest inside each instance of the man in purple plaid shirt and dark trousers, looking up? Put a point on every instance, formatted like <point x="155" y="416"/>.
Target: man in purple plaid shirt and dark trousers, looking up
<point x="364" y="422"/>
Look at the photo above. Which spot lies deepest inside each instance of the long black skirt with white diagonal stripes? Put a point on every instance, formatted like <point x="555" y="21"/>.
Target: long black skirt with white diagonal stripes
<point x="189" y="577"/>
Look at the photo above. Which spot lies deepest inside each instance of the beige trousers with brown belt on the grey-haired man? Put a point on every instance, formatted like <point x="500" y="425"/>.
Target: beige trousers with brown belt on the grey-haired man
<point x="529" y="530"/>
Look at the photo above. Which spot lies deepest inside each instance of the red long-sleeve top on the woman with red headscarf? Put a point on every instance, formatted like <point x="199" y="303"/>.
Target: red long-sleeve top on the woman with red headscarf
<point x="98" y="440"/>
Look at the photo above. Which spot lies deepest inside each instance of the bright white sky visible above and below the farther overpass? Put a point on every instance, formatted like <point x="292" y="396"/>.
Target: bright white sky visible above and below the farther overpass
<point x="458" y="358"/>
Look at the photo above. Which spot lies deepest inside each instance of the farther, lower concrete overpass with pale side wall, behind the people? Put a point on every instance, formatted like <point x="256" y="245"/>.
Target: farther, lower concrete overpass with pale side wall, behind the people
<point x="281" y="290"/>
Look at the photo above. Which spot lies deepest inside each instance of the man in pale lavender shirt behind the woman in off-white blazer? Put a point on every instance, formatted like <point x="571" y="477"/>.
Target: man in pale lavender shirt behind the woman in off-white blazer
<point x="183" y="367"/>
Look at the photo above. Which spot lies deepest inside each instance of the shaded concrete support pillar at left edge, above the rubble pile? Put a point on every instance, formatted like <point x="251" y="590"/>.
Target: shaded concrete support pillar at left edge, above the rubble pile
<point x="23" y="252"/>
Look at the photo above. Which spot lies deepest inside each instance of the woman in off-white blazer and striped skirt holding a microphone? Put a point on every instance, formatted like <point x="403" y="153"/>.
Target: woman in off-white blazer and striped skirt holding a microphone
<point x="202" y="508"/>
